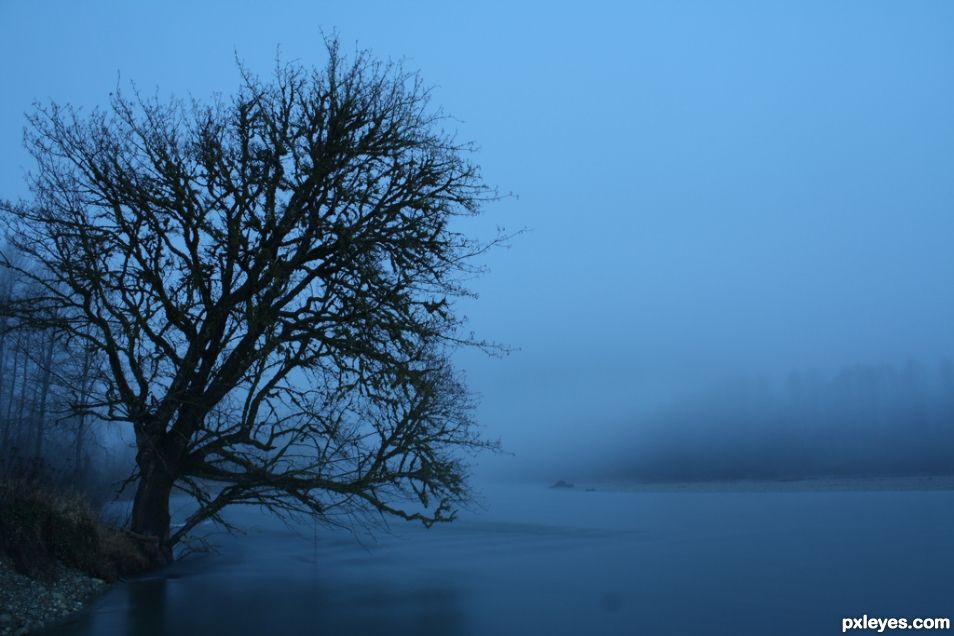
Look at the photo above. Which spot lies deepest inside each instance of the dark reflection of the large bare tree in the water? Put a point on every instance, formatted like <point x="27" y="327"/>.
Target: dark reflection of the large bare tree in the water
<point x="212" y="605"/>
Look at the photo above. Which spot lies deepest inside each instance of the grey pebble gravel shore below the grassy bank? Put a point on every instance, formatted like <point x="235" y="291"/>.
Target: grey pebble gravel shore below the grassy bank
<point x="27" y="605"/>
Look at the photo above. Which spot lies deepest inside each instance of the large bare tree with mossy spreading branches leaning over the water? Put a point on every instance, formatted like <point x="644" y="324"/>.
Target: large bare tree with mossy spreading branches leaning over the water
<point x="270" y="280"/>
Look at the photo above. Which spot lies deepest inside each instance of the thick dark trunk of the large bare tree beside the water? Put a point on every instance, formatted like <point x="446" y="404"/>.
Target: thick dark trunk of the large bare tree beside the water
<point x="150" y="516"/>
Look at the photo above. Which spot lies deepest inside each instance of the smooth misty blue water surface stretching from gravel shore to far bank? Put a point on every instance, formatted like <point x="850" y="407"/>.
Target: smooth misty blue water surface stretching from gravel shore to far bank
<point x="534" y="560"/>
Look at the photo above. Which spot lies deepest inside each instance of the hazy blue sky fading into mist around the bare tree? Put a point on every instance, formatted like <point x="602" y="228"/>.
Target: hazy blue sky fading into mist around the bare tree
<point x="716" y="190"/>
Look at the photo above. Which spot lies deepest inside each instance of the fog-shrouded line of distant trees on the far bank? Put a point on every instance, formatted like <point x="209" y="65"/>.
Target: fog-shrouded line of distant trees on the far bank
<point x="867" y="420"/>
